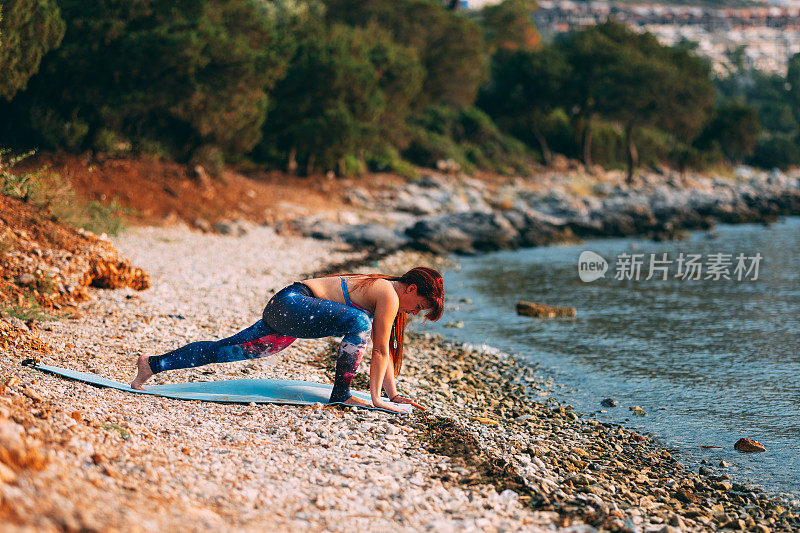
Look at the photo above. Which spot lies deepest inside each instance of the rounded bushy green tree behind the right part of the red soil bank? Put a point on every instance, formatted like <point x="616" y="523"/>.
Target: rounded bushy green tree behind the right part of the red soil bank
<point x="345" y="87"/>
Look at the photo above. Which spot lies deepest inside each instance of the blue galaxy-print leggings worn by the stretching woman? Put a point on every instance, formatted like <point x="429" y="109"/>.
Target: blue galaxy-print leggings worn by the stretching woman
<point x="292" y="313"/>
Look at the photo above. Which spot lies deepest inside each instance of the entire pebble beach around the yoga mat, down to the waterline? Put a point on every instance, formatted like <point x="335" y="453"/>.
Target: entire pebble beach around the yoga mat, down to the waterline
<point x="494" y="452"/>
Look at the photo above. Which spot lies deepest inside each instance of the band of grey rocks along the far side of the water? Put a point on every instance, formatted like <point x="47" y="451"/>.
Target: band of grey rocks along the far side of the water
<point x="450" y="213"/>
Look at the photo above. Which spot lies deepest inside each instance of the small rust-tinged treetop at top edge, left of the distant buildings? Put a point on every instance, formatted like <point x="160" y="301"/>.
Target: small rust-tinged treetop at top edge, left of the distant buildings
<point x="509" y="26"/>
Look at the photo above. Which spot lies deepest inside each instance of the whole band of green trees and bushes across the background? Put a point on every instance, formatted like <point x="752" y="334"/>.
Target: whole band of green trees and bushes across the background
<point x="309" y="86"/>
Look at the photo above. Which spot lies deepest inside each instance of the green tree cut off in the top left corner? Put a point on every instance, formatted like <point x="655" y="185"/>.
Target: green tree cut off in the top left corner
<point x="28" y="30"/>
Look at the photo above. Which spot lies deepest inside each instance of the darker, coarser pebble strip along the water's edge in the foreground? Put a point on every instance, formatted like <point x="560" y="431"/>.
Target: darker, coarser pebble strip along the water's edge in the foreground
<point x="593" y="472"/>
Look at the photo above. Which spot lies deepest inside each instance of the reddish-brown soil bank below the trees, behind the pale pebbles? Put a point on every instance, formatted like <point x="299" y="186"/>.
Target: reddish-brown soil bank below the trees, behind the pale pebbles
<point x="159" y="191"/>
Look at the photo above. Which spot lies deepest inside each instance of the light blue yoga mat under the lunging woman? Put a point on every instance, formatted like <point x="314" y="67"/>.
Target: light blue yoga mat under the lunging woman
<point x="281" y="391"/>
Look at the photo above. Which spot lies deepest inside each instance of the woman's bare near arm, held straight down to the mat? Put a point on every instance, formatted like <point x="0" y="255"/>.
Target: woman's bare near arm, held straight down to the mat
<point x="386" y="308"/>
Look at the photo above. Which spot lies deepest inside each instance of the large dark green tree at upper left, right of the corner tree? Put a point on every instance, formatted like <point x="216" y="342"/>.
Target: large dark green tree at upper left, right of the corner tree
<point x="192" y="74"/>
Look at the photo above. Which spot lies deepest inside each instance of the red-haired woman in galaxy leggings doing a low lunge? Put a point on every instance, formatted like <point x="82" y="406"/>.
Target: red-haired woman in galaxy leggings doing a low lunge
<point x="352" y="305"/>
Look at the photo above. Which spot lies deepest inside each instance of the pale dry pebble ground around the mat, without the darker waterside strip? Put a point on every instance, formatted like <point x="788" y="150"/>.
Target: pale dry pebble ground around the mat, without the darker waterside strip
<point x="124" y="462"/>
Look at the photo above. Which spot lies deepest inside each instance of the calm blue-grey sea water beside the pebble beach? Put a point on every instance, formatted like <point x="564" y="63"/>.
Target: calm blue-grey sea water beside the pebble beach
<point x="709" y="360"/>
